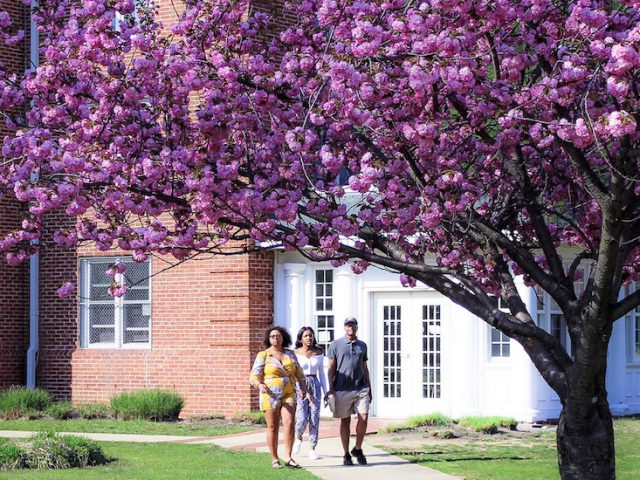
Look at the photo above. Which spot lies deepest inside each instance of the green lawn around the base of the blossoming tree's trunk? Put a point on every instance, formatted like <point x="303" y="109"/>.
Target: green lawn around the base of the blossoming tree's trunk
<point x="532" y="458"/>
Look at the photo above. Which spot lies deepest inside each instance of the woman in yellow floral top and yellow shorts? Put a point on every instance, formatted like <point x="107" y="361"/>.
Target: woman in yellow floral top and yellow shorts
<point x="274" y="373"/>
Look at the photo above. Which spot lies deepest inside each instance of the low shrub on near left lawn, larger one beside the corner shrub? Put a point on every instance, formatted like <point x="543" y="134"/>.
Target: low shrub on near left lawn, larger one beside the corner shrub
<point x="49" y="450"/>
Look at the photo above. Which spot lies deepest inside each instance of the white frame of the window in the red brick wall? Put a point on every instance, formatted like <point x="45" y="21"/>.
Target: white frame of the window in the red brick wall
<point x="118" y="302"/>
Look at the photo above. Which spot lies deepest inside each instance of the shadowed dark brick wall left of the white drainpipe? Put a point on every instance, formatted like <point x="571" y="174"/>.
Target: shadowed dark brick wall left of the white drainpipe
<point x="14" y="306"/>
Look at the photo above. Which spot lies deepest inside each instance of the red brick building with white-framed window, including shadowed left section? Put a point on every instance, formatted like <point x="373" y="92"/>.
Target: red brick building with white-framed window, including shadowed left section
<point x="194" y="327"/>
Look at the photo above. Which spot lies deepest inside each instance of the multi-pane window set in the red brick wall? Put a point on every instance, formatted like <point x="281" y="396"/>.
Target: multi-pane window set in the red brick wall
<point x="115" y="322"/>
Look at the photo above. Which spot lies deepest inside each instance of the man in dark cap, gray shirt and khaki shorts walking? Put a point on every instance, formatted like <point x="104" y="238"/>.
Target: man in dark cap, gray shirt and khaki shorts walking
<point x="349" y="383"/>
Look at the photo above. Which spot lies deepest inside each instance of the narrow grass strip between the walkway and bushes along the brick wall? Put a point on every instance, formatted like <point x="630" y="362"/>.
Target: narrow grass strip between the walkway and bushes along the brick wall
<point x="120" y="426"/>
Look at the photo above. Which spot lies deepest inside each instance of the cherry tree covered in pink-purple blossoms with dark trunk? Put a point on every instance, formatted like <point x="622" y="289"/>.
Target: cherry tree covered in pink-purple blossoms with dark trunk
<point x="461" y="143"/>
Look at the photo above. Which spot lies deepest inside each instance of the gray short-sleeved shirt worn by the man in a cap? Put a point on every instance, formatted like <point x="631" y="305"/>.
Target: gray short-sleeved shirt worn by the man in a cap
<point x="350" y="358"/>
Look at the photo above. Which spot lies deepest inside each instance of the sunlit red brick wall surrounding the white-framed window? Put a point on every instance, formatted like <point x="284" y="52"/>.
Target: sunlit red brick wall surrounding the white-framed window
<point x="208" y="316"/>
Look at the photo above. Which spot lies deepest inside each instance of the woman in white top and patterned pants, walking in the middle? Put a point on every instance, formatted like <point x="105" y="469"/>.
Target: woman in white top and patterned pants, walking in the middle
<point x="311" y="359"/>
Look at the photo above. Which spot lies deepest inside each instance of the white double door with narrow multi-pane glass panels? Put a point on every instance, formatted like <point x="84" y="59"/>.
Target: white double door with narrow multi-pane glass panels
<point x="408" y="356"/>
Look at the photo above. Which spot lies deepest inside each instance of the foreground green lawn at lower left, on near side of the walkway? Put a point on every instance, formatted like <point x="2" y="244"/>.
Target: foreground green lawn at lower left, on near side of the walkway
<point x="145" y="461"/>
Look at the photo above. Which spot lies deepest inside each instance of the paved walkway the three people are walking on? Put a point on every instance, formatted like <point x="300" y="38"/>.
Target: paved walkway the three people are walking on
<point x="382" y="465"/>
